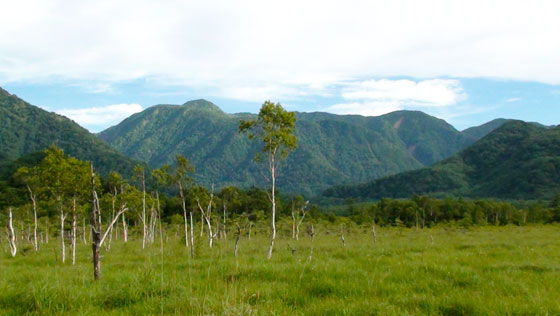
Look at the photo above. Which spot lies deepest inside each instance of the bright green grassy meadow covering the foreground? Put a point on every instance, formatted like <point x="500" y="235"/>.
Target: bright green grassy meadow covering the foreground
<point x="442" y="271"/>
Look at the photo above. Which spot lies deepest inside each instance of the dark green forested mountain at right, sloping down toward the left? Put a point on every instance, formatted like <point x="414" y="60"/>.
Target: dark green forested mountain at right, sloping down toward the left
<point x="516" y="161"/>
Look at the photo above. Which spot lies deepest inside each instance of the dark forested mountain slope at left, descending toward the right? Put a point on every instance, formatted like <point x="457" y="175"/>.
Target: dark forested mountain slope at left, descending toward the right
<point x="26" y="129"/>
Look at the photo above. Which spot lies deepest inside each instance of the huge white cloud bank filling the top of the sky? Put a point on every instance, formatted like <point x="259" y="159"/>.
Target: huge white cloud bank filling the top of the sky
<point x="248" y="49"/>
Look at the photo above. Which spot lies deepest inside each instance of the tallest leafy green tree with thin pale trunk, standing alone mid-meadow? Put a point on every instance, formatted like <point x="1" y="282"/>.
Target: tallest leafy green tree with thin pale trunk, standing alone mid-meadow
<point x="274" y="127"/>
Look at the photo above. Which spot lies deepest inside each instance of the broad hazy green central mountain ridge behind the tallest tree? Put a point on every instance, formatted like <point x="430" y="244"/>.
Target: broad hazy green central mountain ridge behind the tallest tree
<point x="332" y="149"/>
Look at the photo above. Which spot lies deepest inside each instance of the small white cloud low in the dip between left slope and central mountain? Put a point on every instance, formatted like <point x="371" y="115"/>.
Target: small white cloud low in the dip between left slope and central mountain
<point x="96" y="118"/>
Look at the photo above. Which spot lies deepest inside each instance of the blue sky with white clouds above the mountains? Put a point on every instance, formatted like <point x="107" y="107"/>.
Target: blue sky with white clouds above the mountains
<point x="466" y="62"/>
